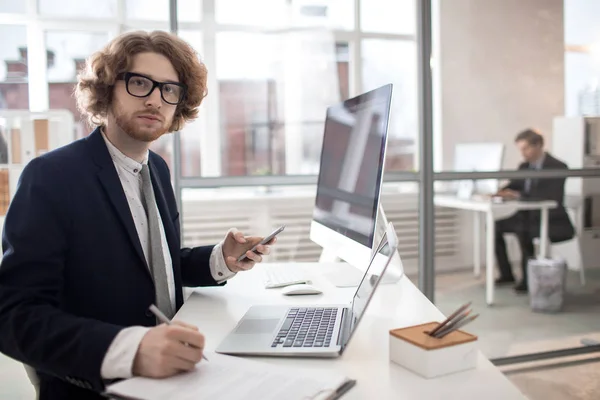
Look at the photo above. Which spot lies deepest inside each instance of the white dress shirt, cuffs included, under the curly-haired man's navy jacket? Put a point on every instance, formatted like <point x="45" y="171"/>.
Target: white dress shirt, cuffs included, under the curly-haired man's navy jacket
<point x="118" y="361"/>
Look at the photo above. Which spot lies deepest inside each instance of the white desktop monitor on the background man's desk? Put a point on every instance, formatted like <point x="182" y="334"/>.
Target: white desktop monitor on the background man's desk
<point x="479" y="157"/>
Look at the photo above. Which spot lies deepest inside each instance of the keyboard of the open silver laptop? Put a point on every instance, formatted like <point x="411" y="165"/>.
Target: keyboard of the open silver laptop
<point x="307" y="327"/>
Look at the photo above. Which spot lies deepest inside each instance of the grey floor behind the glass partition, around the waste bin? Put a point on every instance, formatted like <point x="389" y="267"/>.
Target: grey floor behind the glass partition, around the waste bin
<point x="509" y="327"/>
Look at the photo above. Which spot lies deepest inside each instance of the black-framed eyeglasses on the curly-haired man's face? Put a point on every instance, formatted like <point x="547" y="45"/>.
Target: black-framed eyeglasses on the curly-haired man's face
<point x="139" y="85"/>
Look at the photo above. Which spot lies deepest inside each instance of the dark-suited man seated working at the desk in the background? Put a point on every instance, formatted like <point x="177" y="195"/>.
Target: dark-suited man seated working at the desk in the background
<point x="526" y="224"/>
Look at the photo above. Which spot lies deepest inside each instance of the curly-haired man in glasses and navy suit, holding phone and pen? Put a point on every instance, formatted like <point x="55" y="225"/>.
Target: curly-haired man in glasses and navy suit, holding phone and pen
<point x="91" y="238"/>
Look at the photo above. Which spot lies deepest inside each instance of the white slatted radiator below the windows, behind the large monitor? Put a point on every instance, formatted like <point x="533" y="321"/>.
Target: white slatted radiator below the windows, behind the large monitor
<point x="206" y="220"/>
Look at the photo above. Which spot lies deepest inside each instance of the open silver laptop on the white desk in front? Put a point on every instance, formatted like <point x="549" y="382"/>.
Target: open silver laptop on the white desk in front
<point x="309" y="331"/>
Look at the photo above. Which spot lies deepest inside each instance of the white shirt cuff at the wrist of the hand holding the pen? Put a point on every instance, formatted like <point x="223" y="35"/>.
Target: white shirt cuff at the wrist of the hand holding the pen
<point x="118" y="361"/>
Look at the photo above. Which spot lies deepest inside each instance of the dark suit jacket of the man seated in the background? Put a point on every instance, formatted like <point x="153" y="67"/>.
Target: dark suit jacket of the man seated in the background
<point x="560" y="227"/>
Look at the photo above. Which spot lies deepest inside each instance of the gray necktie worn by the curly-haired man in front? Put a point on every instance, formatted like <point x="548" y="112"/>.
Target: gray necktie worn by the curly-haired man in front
<point x="158" y="267"/>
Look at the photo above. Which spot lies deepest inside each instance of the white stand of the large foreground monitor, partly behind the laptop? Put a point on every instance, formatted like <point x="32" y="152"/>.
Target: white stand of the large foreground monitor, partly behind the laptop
<point x="342" y="274"/>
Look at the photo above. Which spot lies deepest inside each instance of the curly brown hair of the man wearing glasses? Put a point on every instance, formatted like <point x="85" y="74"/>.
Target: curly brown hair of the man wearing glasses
<point x="95" y="82"/>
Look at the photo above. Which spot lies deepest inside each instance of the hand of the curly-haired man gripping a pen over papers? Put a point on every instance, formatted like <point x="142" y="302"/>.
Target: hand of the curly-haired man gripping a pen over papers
<point x="167" y="350"/>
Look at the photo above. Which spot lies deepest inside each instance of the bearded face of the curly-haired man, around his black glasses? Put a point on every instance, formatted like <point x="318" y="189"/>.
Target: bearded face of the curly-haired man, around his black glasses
<point x="145" y="118"/>
